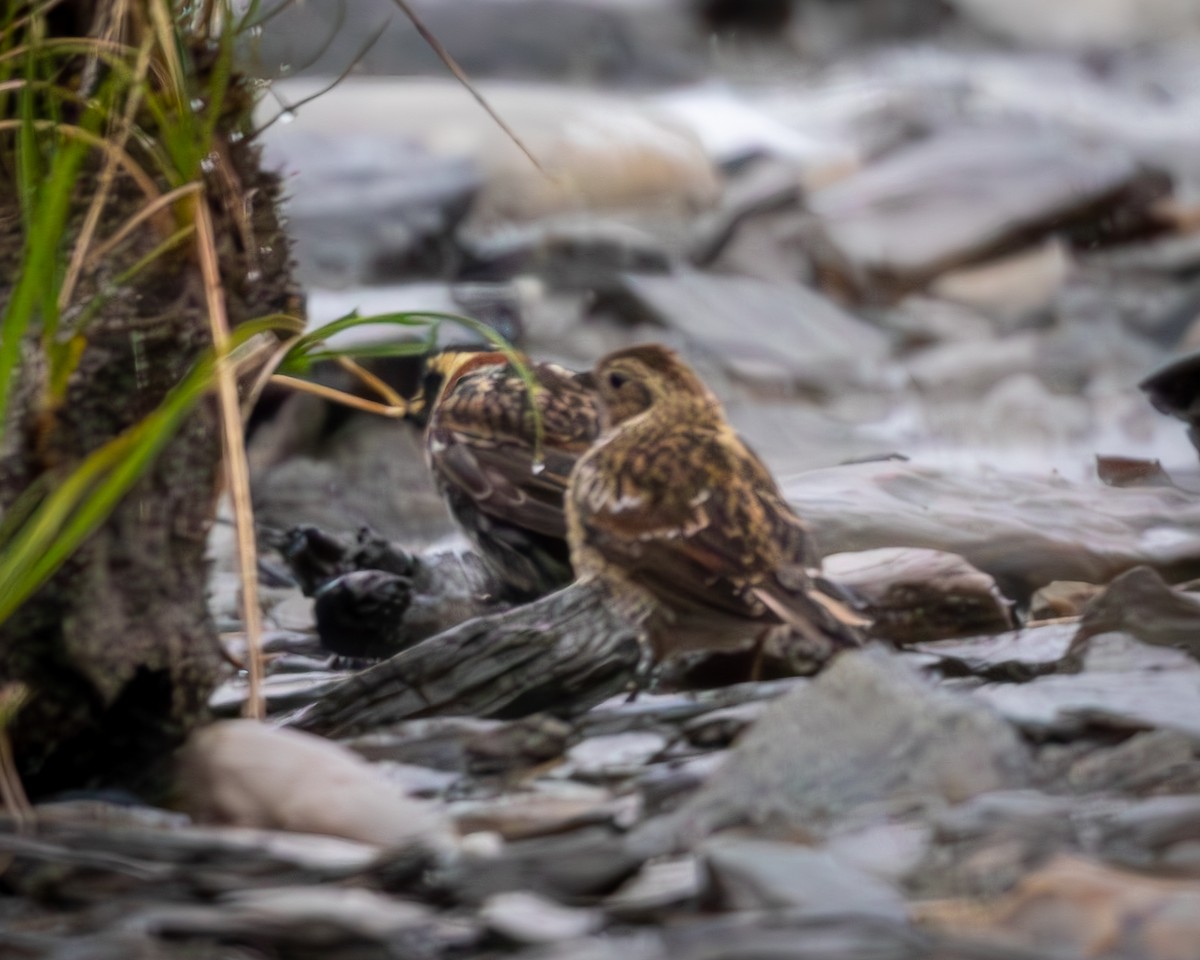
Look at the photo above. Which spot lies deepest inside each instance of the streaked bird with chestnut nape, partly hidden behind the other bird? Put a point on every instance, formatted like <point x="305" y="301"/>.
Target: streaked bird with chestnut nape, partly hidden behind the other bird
<point x="482" y="448"/>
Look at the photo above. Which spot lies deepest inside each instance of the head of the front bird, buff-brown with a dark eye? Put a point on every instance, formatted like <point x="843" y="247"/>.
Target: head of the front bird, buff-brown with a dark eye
<point x="650" y="376"/>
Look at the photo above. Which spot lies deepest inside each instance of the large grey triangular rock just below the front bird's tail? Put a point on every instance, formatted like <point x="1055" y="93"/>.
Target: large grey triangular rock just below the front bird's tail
<point x="867" y="731"/>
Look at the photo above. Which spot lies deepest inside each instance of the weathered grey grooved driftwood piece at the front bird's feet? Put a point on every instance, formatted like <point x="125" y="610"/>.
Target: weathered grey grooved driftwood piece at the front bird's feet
<point x="562" y="655"/>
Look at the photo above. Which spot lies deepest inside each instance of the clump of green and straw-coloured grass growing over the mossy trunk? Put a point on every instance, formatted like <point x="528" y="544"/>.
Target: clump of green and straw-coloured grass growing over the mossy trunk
<point x="131" y="103"/>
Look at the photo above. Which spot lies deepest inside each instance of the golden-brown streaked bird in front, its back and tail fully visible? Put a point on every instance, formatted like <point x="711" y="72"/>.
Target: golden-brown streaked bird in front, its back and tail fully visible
<point x="685" y="525"/>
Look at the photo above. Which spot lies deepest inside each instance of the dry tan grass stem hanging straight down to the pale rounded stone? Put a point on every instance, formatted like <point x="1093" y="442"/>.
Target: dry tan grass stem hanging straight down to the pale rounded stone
<point x="237" y="470"/>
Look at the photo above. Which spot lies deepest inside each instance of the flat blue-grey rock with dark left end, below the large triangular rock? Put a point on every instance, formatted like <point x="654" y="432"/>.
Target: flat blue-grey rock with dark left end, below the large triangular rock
<point x="746" y="874"/>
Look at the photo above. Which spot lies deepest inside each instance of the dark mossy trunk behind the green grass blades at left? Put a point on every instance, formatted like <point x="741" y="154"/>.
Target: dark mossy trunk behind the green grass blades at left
<point x="118" y="650"/>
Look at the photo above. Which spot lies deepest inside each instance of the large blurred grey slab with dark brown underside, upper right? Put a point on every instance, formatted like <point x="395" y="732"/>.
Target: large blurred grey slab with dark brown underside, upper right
<point x="965" y="195"/>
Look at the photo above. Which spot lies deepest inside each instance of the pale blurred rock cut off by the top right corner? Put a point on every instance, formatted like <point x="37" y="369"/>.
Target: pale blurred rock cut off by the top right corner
<point x="1085" y="25"/>
